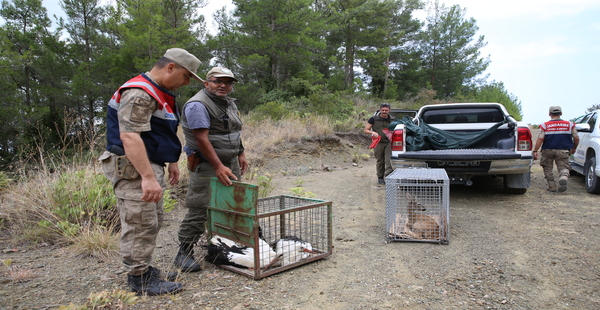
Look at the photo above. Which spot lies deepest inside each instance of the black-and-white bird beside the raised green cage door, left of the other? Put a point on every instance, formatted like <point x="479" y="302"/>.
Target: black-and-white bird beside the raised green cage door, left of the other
<point x="222" y="251"/>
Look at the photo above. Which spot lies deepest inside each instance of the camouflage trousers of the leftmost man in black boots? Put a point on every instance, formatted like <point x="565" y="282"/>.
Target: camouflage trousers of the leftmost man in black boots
<point x="140" y="221"/>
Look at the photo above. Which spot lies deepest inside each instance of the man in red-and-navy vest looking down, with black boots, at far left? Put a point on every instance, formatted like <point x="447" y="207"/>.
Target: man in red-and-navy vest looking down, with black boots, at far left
<point x="142" y="123"/>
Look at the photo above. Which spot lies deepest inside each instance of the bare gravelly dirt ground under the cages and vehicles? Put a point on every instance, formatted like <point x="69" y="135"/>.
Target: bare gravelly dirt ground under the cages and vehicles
<point x="533" y="251"/>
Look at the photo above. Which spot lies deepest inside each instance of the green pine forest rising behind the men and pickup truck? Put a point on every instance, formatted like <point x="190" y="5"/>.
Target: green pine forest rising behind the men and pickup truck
<point x="300" y="58"/>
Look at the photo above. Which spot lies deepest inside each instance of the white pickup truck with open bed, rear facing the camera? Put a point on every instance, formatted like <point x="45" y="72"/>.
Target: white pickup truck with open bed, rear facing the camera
<point x="505" y="152"/>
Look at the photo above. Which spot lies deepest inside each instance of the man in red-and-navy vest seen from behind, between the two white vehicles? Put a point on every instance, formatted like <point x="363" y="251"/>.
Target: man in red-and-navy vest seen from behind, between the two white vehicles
<point x="558" y="139"/>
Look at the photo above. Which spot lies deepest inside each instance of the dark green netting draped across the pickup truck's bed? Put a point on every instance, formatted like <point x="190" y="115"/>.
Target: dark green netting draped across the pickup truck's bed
<point x="423" y="136"/>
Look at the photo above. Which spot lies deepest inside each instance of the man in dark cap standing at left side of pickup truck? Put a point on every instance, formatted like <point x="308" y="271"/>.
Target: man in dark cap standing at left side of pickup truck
<point x="383" y="150"/>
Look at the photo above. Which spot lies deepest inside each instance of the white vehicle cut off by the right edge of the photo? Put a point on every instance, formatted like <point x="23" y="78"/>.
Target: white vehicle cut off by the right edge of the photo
<point x="585" y="160"/>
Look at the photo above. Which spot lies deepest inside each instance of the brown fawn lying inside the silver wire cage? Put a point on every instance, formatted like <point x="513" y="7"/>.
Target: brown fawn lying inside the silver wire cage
<point x="420" y="226"/>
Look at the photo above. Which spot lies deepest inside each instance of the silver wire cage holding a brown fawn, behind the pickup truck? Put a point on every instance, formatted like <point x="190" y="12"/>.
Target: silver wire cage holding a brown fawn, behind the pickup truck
<point x="417" y="205"/>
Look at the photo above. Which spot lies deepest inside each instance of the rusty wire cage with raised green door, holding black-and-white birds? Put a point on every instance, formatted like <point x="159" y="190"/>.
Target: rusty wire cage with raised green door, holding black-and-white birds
<point x="236" y="213"/>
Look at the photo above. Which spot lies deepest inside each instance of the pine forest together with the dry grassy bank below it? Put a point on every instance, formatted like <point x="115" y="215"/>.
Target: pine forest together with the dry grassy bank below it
<point x="306" y="69"/>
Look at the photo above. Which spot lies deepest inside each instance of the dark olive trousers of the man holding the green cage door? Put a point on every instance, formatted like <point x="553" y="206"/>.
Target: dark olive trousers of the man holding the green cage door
<point x="198" y="198"/>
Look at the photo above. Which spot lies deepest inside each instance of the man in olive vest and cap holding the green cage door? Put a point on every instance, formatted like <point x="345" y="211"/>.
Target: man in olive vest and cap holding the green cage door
<point x="212" y="128"/>
